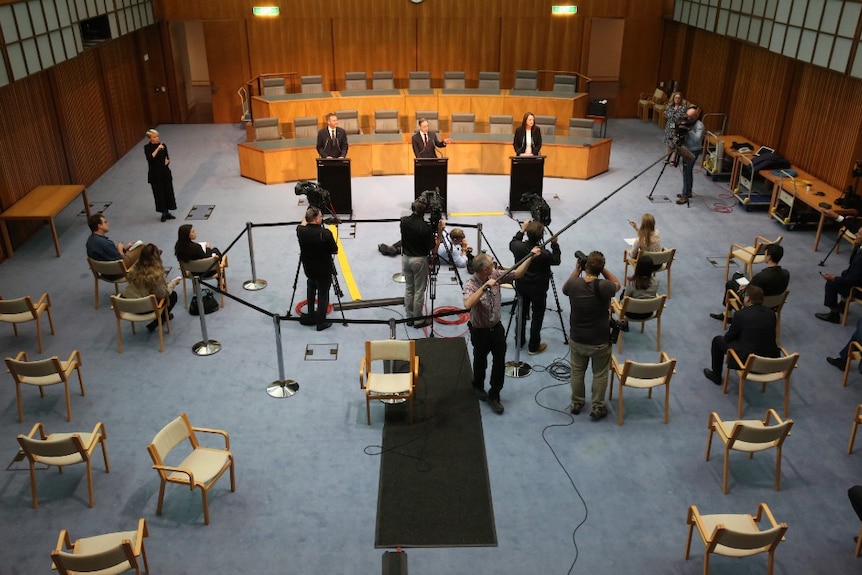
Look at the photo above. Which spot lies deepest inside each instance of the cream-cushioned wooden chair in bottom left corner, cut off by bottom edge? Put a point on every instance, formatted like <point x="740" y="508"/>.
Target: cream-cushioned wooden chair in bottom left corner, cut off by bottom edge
<point x="102" y="554"/>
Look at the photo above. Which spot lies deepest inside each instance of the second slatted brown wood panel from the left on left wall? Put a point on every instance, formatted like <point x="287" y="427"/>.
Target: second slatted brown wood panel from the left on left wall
<point x="85" y="124"/>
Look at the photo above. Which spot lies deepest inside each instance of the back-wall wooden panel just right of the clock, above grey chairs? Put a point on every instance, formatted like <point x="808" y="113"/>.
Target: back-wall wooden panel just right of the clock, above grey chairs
<point x="440" y="49"/>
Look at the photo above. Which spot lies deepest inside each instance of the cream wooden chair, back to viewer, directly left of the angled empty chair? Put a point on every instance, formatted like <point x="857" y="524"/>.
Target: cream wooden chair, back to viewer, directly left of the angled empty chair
<point x="63" y="449"/>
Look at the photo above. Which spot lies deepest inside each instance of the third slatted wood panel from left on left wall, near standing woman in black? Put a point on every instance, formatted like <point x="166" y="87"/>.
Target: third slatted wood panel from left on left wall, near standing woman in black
<point x="124" y="91"/>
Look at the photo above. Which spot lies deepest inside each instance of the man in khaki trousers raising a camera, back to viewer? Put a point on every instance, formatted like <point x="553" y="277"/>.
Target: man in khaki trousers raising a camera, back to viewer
<point x="589" y="299"/>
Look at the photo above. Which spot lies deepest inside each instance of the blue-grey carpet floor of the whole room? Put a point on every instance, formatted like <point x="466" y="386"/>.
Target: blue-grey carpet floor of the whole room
<point x="610" y="499"/>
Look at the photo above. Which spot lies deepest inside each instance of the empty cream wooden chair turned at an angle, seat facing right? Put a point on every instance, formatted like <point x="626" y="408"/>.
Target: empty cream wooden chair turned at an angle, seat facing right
<point x="202" y="466"/>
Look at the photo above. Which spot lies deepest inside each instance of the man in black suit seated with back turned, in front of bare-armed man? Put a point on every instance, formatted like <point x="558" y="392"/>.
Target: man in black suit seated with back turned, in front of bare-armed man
<point x="752" y="332"/>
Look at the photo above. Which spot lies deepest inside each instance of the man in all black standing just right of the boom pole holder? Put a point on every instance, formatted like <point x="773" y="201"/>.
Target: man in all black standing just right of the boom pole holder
<point x="533" y="287"/>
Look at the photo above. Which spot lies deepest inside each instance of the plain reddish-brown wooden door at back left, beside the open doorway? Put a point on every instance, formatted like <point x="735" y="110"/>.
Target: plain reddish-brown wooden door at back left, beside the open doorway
<point x="227" y="59"/>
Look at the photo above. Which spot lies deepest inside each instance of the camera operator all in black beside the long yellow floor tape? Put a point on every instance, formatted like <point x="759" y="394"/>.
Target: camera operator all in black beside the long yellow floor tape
<point x="316" y="247"/>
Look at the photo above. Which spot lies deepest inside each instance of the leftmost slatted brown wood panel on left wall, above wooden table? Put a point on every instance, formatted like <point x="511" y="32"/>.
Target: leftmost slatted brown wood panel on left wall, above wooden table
<point x="33" y="154"/>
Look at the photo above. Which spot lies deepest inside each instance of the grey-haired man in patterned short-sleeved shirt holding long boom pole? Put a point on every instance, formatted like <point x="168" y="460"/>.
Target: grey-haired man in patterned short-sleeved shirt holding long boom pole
<point x="483" y="298"/>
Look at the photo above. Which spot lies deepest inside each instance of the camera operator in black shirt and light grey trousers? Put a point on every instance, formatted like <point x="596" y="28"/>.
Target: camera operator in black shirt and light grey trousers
<point x="417" y="242"/>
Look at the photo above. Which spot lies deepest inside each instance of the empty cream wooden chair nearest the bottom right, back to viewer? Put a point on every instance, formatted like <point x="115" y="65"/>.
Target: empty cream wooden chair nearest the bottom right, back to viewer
<point x="736" y="535"/>
